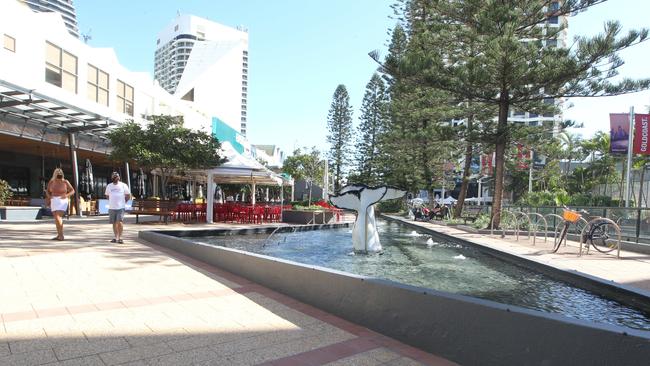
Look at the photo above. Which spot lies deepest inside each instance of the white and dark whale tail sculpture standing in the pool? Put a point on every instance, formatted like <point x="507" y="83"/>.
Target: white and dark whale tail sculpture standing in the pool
<point x="361" y="198"/>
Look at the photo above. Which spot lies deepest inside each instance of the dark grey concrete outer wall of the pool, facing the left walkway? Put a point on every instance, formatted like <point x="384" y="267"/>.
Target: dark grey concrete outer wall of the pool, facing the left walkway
<point x="464" y="329"/>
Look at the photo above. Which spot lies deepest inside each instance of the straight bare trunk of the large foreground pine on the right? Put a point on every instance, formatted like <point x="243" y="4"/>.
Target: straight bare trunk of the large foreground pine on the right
<point x="500" y="152"/>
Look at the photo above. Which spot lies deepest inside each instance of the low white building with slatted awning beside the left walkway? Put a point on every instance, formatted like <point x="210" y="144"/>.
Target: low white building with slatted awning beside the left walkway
<point x="55" y="89"/>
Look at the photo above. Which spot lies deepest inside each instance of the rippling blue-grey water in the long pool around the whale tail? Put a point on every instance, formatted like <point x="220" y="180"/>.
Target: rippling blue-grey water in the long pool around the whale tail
<point x="417" y="259"/>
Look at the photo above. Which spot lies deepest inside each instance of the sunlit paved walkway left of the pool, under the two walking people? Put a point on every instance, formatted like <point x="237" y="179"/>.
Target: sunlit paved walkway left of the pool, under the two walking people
<point x="85" y="301"/>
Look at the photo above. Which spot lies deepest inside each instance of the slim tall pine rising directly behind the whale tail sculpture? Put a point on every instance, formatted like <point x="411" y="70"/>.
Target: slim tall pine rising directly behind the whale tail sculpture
<point x="374" y="115"/>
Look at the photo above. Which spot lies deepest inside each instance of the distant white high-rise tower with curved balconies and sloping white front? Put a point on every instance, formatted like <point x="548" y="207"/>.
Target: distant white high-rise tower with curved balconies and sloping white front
<point x="205" y="63"/>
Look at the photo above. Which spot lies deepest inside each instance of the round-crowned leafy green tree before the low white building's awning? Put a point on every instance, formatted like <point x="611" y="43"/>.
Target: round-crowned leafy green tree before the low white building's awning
<point x="164" y="143"/>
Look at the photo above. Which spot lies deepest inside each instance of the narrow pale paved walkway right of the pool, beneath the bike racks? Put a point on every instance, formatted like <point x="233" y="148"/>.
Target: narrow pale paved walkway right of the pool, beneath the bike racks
<point x="633" y="269"/>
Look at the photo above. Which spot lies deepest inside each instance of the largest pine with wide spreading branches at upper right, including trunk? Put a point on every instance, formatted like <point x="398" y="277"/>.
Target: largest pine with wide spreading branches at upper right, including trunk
<point x="514" y="63"/>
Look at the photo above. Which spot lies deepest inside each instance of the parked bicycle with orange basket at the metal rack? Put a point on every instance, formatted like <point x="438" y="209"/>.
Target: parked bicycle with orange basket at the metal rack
<point x="599" y="232"/>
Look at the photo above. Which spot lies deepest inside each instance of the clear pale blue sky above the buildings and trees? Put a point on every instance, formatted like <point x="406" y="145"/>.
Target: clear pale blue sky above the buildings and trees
<point x="300" y="50"/>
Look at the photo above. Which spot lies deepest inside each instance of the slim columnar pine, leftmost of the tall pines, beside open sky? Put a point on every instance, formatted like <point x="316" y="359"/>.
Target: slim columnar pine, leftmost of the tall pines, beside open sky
<point x="339" y="123"/>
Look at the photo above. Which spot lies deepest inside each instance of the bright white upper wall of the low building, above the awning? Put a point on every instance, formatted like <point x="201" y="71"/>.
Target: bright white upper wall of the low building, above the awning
<point x="26" y="66"/>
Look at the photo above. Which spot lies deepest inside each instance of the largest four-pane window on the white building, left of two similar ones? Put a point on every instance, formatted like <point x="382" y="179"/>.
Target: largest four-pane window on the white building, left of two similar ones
<point x="60" y="68"/>
